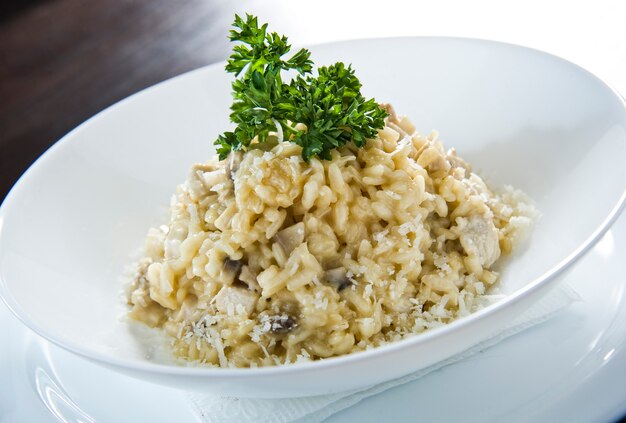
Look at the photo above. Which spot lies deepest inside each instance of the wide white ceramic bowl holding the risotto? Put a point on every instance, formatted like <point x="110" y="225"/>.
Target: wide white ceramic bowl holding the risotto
<point x="521" y="117"/>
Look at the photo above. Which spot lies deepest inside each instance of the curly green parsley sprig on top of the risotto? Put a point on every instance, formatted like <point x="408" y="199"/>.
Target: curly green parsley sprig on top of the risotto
<point x="330" y="105"/>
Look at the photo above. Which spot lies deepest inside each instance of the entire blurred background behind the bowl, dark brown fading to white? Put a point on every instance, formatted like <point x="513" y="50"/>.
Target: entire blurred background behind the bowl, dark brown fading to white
<point x="63" y="61"/>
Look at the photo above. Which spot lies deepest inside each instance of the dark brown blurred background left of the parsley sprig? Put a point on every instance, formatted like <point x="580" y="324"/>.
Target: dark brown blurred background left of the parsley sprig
<point x="63" y="61"/>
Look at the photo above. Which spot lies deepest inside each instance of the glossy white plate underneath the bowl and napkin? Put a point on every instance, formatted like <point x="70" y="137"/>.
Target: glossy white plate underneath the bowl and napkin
<point x="571" y="368"/>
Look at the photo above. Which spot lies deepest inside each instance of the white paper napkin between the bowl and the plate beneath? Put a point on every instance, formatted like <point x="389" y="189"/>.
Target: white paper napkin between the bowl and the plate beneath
<point x="214" y="408"/>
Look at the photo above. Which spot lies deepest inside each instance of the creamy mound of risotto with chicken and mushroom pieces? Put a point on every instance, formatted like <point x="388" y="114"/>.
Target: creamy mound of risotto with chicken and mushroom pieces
<point x="268" y="259"/>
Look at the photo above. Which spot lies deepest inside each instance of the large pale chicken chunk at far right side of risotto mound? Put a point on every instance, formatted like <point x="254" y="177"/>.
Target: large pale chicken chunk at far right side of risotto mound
<point x="479" y="238"/>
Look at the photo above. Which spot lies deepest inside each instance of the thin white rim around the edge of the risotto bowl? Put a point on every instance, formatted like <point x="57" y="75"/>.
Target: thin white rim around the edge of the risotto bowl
<point x="332" y="362"/>
